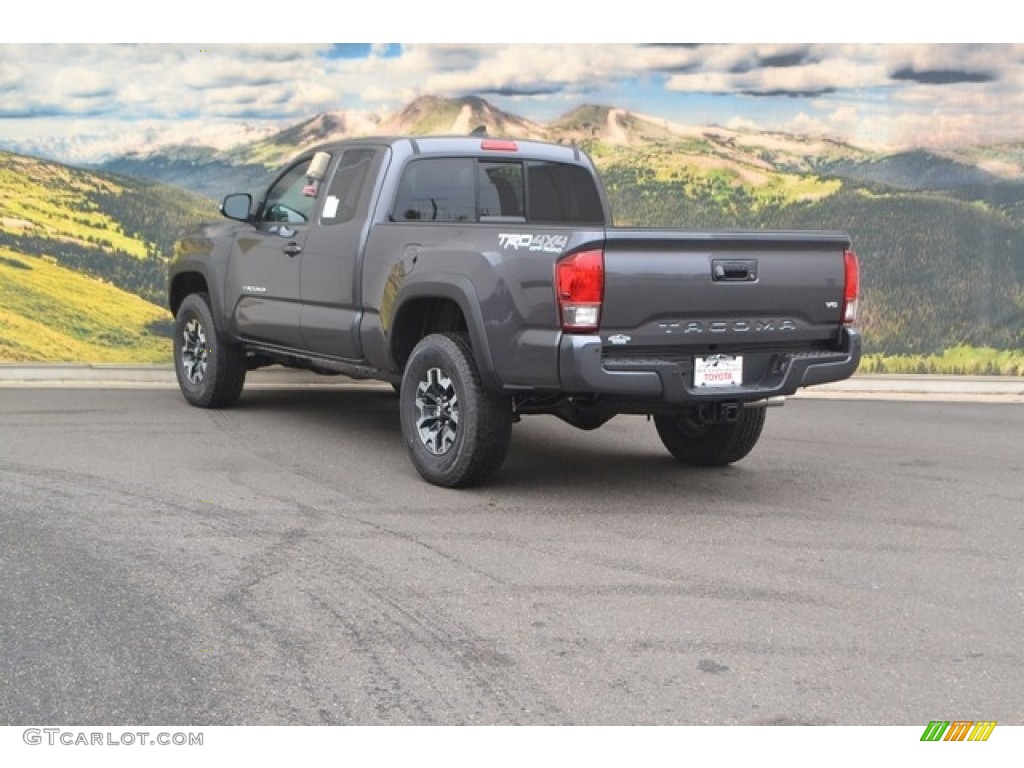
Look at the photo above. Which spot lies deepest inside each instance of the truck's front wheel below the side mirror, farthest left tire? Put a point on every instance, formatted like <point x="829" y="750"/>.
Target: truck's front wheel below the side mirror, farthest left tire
<point x="211" y="373"/>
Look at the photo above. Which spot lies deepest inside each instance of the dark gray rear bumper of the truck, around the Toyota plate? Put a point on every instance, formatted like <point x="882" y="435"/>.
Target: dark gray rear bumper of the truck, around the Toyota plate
<point x="584" y="369"/>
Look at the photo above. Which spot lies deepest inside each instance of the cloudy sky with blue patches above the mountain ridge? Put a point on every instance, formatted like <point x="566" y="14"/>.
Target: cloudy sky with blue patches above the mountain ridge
<point x="82" y="101"/>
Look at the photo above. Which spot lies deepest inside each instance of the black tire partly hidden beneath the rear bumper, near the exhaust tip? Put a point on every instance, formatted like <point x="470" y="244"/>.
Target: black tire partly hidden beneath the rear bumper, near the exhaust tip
<point x="711" y="445"/>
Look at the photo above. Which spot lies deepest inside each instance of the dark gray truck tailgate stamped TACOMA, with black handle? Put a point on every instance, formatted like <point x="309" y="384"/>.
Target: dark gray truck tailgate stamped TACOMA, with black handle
<point x="722" y="290"/>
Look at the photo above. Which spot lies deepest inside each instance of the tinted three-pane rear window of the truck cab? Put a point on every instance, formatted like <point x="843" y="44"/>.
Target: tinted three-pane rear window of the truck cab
<point x="474" y="190"/>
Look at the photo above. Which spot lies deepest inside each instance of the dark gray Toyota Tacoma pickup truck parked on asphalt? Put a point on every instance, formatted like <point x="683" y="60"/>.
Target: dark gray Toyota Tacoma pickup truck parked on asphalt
<point x="484" y="280"/>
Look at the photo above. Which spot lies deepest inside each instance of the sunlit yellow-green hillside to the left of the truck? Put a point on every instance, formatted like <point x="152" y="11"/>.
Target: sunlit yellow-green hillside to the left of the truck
<point x="83" y="270"/>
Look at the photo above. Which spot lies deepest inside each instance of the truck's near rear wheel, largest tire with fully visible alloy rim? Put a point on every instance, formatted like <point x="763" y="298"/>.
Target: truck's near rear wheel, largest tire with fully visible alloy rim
<point x="456" y="432"/>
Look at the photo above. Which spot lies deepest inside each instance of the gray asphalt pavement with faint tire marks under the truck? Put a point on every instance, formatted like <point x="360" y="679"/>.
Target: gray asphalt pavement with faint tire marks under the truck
<point x="282" y="563"/>
